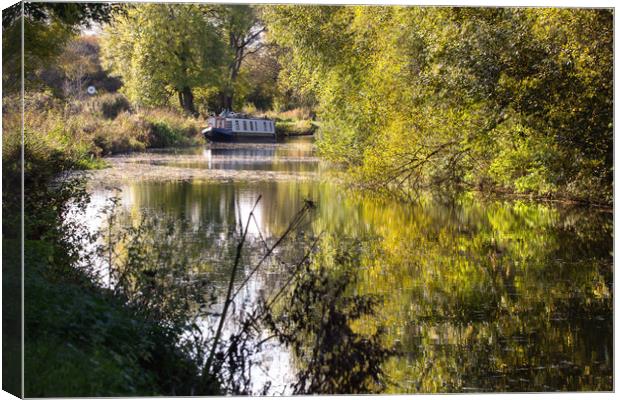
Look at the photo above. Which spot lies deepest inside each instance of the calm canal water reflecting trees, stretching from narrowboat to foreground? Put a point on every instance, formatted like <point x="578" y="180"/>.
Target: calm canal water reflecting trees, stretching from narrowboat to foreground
<point x="474" y="294"/>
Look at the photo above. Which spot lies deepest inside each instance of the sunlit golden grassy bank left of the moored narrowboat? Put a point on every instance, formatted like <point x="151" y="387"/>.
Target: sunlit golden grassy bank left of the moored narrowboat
<point x="105" y="125"/>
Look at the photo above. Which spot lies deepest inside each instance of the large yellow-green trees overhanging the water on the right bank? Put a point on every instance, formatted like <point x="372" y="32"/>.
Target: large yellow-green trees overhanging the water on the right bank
<point x="504" y="99"/>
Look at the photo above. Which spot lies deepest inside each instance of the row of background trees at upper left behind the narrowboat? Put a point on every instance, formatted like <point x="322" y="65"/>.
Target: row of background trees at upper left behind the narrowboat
<point x="198" y="57"/>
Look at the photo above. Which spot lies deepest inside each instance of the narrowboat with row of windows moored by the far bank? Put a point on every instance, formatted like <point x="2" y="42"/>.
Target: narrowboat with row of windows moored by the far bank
<point x="230" y="126"/>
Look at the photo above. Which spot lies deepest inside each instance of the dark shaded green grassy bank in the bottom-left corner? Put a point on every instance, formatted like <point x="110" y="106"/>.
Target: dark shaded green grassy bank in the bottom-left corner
<point x="82" y="340"/>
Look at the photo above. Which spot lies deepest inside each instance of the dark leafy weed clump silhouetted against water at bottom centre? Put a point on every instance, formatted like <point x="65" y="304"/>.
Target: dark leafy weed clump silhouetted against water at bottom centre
<point x="321" y="320"/>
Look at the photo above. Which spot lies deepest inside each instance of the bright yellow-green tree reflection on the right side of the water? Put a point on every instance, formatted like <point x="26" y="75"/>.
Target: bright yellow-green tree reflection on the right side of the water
<point x="500" y="296"/>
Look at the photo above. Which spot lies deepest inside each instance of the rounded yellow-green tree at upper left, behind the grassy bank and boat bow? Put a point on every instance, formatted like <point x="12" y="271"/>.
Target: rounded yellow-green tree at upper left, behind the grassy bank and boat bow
<point x="161" y="50"/>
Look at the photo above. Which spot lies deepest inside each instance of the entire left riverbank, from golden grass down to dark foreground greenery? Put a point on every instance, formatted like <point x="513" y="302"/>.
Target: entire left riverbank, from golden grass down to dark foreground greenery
<point x="81" y="338"/>
